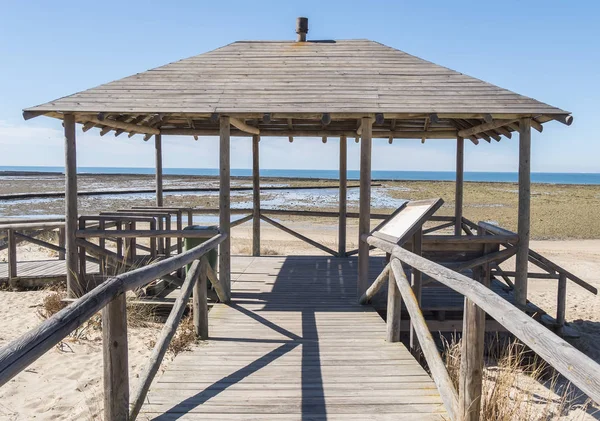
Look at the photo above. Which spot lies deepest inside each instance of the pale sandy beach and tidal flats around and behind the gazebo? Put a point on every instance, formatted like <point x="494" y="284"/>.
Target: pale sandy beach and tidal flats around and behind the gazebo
<point x="66" y="383"/>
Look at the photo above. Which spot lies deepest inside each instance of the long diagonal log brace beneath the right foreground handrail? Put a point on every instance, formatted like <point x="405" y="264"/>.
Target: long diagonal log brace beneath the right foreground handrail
<point x="427" y="344"/>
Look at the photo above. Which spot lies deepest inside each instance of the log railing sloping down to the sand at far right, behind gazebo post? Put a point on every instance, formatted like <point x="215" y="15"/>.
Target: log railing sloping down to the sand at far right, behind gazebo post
<point x="550" y="270"/>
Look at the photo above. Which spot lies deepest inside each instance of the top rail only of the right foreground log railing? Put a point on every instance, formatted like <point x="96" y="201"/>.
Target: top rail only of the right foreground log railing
<point x="581" y="370"/>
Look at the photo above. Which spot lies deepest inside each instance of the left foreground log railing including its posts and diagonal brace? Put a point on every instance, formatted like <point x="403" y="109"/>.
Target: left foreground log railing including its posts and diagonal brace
<point x="110" y="298"/>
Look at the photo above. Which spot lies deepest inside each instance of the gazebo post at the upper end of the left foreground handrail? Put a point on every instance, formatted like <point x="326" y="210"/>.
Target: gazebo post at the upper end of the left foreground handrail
<point x="224" y="205"/>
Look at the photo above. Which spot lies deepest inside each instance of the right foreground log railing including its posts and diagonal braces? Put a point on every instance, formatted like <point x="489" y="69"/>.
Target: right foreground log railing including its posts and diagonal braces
<point x="464" y="404"/>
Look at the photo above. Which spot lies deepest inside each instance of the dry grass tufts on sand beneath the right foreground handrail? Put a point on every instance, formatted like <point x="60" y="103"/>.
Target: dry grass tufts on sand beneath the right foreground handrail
<point x="517" y="385"/>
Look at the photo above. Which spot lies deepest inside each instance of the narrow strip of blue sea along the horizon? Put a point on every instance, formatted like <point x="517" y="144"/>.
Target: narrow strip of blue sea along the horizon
<point x="510" y="177"/>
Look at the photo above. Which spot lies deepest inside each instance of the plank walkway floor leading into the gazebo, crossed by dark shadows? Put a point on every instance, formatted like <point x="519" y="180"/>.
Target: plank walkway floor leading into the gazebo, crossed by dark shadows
<point x="295" y="345"/>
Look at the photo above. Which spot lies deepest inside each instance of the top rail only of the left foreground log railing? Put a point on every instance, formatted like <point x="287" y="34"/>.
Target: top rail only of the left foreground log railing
<point x="18" y="354"/>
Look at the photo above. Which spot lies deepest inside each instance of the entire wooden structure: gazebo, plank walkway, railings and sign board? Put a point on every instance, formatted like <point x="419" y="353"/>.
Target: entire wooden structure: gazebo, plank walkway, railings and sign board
<point x="299" y="337"/>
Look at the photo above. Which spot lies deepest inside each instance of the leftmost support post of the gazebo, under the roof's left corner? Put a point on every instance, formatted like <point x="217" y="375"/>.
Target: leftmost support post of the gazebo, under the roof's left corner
<point x="73" y="287"/>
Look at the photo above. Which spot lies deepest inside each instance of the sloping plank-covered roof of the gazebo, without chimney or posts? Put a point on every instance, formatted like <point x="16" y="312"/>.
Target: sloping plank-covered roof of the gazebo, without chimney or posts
<point x="354" y="76"/>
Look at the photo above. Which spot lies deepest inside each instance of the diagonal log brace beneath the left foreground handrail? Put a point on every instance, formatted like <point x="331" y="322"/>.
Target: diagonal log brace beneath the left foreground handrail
<point x="166" y="335"/>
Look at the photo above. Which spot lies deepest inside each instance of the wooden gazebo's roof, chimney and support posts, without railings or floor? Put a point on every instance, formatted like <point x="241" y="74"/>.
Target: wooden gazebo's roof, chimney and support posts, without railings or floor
<point x="353" y="88"/>
